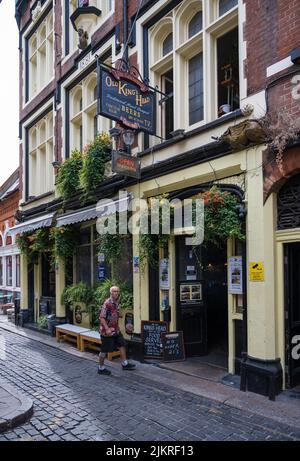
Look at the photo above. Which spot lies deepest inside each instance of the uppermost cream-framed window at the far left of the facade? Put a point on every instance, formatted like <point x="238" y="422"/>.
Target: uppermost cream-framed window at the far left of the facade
<point x="40" y="57"/>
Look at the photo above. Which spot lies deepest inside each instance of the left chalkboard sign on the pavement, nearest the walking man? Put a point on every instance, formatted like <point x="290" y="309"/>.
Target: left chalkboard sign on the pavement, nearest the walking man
<point x="151" y="338"/>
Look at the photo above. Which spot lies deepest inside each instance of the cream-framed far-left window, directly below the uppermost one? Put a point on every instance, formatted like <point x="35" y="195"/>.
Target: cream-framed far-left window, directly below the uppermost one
<point x="40" y="178"/>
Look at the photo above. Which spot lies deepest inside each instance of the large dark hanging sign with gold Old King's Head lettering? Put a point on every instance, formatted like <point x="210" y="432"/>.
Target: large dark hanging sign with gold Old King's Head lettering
<point x="125" y="98"/>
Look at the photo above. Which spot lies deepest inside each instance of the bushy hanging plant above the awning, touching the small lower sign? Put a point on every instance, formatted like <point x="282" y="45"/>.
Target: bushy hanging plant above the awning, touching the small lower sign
<point x="95" y="156"/>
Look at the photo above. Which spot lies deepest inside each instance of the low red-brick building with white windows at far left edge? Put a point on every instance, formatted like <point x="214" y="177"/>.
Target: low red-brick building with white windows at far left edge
<point x="9" y="251"/>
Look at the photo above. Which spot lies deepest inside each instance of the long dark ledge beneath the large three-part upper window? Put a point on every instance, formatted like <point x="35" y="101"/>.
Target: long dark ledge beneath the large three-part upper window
<point x="189" y="134"/>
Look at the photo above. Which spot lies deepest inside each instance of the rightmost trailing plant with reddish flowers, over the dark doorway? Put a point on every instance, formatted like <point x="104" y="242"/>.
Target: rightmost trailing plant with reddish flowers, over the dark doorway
<point x="221" y="217"/>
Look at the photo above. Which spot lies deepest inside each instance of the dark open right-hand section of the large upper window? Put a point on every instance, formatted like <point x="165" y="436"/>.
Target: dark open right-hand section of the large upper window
<point x="228" y="72"/>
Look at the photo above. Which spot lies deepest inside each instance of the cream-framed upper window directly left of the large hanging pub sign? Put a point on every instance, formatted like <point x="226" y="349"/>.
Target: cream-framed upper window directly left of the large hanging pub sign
<point x="84" y="122"/>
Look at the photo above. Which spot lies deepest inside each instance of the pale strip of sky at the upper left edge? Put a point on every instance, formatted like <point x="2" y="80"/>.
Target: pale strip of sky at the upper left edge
<point x="9" y="90"/>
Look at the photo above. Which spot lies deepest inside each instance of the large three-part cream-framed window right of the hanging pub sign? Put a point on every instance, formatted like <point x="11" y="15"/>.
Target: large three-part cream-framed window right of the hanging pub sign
<point x="198" y="85"/>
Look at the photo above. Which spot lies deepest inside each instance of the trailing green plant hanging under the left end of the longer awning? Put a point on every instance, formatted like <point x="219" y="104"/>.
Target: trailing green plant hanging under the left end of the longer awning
<point x="65" y="241"/>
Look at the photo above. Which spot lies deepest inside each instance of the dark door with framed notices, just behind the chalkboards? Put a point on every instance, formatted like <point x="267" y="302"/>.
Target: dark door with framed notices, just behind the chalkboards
<point x="191" y="305"/>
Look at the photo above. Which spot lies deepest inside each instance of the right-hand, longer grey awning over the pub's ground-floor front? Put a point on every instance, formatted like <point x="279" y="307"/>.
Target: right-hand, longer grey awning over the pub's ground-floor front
<point x="104" y="207"/>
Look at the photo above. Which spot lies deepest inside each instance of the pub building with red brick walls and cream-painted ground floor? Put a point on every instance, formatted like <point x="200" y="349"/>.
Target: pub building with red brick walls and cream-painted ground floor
<point x="221" y="66"/>
